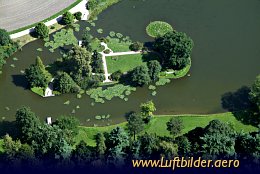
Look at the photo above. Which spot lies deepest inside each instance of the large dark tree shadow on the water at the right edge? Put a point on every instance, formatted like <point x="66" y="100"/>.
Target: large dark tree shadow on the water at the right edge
<point x="239" y="104"/>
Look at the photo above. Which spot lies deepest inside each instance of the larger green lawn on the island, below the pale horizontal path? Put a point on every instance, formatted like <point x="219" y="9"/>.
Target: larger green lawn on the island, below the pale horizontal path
<point x="124" y="63"/>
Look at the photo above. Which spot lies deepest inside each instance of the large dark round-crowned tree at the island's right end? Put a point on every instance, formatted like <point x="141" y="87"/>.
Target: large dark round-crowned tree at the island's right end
<point x="175" y="48"/>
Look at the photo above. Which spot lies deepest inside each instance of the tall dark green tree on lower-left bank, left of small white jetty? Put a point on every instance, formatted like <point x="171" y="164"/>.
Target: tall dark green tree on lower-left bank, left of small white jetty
<point x="27" y="123"/>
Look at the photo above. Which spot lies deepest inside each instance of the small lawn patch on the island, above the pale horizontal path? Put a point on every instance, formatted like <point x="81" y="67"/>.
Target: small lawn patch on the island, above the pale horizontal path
<point x="118" y="46"/>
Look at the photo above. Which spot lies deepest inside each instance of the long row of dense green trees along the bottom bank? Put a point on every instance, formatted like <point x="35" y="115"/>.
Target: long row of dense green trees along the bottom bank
<point x="40" y="144"/>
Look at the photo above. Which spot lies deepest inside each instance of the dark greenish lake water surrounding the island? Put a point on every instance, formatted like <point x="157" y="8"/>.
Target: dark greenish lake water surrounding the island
<point x="226" y="56"/>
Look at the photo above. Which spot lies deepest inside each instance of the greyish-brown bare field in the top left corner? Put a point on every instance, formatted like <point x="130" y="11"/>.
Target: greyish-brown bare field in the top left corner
<point x="15" y="14"/>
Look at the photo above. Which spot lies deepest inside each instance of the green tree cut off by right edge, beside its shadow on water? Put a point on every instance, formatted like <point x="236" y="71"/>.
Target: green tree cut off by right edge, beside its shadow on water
<point x="255" y="92"/>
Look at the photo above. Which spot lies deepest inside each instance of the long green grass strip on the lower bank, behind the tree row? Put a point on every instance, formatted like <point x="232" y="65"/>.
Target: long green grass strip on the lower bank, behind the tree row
<point x="158" y="125"/>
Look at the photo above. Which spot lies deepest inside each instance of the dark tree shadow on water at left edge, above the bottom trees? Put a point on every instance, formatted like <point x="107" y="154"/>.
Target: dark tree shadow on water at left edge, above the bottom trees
<point x="9" y="127"/>
